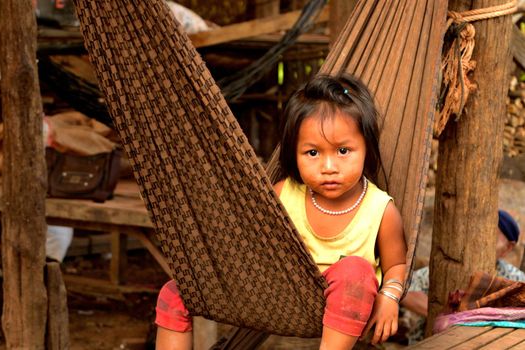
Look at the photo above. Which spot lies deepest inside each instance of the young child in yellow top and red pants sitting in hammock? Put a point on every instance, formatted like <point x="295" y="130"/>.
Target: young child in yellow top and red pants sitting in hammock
<point x="330" y="156"/>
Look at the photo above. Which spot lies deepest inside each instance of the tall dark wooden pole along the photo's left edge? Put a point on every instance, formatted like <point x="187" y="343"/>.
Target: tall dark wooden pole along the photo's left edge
<point x="24" y="180"/>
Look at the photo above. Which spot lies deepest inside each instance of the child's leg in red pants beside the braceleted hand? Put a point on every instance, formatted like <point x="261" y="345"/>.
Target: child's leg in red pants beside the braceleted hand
<point x="352" y="288"/>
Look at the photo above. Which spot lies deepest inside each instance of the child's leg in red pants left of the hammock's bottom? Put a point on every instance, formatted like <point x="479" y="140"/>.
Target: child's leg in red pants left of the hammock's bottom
<point x="174" y="320"/>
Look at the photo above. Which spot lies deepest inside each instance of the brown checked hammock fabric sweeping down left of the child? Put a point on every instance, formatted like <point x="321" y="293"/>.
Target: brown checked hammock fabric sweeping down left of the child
<point x="232" y="249"/>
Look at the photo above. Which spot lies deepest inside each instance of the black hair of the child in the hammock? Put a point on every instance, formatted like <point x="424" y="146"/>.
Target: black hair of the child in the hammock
<point x="324" y="95"/>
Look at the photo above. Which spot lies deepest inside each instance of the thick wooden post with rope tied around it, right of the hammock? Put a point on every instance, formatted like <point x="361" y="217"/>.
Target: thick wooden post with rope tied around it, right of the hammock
<point x="470" y="154"/>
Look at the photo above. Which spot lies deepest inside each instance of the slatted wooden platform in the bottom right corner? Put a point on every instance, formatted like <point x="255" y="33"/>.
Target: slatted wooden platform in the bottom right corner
<point x="467" y="338"/>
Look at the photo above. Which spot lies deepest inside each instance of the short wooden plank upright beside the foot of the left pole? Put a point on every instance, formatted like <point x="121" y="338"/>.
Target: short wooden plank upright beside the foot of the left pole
<point x="57" y="337"/>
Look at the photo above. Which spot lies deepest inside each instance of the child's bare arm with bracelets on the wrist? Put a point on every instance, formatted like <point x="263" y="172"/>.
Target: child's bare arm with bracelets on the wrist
<point x="392" y="252"/>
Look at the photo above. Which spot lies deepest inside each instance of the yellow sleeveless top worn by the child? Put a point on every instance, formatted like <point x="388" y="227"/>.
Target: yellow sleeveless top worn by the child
<point x="357" y="239"/>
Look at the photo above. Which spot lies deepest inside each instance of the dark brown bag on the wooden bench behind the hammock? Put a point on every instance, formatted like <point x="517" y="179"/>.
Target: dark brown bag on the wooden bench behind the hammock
<point x="82" y="177"/>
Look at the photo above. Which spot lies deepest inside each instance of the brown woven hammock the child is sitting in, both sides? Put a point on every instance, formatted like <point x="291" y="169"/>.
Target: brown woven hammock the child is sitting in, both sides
<point x="233" y="251"/>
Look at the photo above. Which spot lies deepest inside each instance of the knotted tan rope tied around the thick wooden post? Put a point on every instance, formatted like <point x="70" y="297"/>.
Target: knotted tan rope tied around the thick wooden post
<point x="457" y="61"/>
